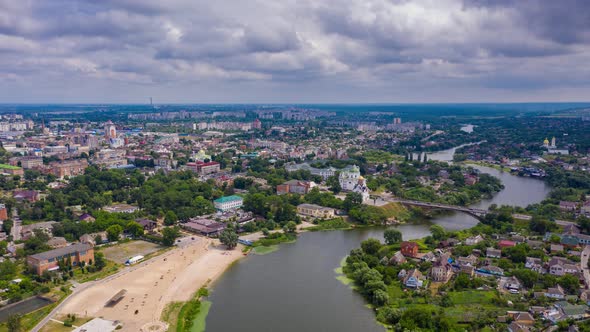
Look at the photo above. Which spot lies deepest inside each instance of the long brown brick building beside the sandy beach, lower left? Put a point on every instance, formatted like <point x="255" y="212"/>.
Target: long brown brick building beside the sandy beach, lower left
<point x="49" y="260"/>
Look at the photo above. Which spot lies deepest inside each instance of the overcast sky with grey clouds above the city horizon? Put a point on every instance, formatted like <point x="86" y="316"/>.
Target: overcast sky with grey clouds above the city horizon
<point x="294" y="51"/>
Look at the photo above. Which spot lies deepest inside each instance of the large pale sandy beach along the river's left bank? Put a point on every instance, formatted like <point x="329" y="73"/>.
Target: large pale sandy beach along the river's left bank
<point x="173" y="276"/>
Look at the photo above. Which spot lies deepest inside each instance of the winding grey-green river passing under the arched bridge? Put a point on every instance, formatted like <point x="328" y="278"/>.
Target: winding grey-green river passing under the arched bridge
<point x="295" y="289"/>
